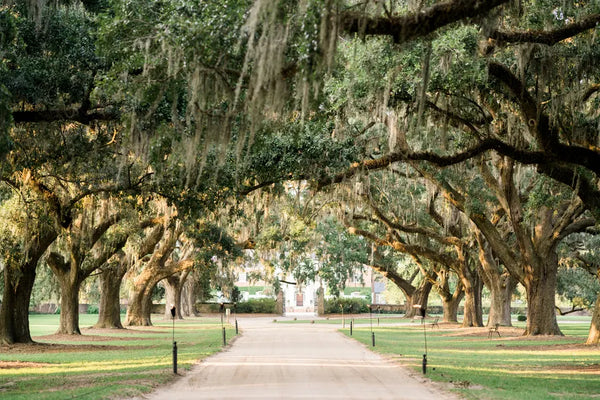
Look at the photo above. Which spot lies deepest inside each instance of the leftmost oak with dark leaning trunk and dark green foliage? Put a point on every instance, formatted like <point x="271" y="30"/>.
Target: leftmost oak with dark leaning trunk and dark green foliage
<point x="48" y="74"/>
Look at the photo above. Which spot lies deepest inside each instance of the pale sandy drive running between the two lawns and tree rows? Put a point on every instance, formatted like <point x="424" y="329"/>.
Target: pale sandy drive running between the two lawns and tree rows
<point x="297" y="361"/>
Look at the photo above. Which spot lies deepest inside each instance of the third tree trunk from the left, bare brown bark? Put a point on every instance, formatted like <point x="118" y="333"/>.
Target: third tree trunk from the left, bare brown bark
<point x="109" y="315"/>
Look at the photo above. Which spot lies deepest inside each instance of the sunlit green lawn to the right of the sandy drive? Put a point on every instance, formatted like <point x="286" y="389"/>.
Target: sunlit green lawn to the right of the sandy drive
<point x="500" y="368"/>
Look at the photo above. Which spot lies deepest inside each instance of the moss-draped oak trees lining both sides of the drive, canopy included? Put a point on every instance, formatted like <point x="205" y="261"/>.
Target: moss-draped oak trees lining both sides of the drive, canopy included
<point x="463" y="134"/>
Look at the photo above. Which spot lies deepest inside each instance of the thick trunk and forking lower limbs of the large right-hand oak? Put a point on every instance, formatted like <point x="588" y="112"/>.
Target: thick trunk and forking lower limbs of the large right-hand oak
<point x="534" y="261"/>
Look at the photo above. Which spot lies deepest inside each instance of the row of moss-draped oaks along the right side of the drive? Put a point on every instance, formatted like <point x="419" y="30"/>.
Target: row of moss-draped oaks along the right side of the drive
<point x="479" y="139"/>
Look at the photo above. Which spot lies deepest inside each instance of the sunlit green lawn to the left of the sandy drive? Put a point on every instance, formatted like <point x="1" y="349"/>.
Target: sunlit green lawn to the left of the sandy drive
<point x="103" y="363"/>
